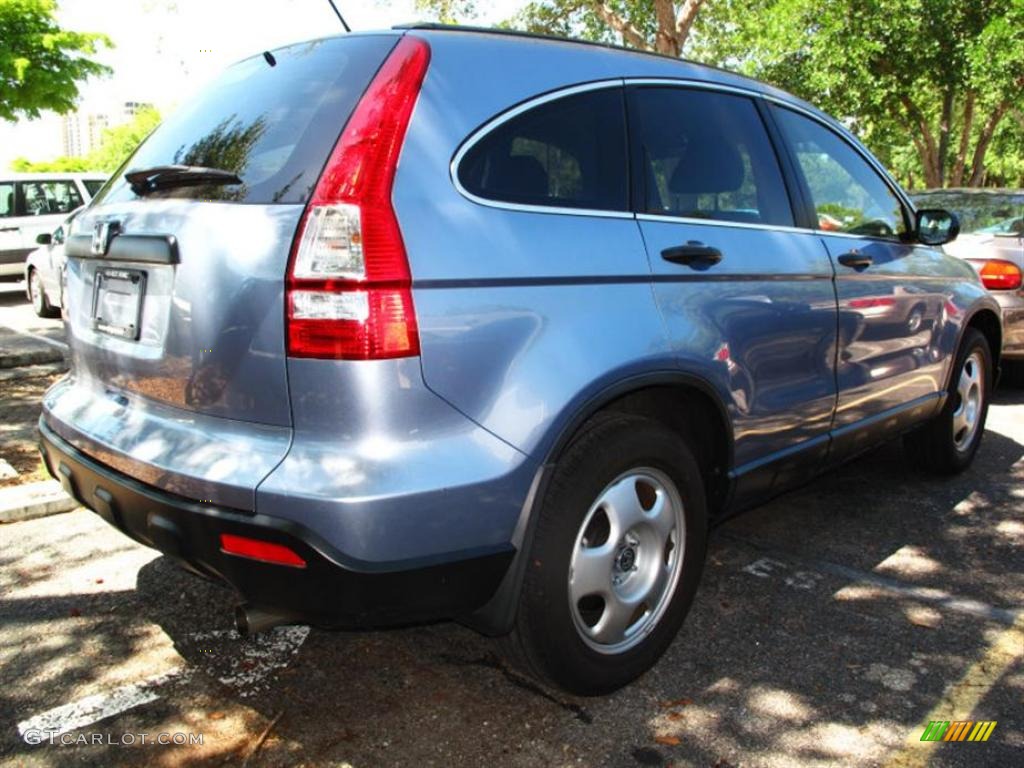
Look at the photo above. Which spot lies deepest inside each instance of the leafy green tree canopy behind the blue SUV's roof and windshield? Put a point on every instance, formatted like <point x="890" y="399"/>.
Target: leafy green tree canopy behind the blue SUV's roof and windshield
<point x="931" y="87"/>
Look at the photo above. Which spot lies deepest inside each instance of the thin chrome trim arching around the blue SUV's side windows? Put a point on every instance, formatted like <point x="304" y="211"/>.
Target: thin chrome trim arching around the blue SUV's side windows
<point x="481" y="133"/>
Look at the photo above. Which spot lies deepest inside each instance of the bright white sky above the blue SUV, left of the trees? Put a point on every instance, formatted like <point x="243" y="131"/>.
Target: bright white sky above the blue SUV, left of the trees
<point x="166" y="50"/>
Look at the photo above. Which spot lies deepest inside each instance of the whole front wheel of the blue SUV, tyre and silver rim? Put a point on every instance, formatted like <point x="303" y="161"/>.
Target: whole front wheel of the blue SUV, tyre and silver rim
<point x="948" y="444"/>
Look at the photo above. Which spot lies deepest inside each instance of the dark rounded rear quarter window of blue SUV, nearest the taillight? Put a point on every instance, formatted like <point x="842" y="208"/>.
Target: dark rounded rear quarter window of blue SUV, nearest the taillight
<point x="570" y="153"/>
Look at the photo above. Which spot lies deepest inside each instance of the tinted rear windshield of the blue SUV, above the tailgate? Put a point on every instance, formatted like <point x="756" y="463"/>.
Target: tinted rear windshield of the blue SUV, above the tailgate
<point x="273" y="120"/>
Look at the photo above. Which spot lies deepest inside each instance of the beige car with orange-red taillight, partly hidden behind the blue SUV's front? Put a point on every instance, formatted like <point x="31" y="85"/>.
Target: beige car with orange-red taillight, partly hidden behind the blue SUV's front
<point x="993" y="240"/>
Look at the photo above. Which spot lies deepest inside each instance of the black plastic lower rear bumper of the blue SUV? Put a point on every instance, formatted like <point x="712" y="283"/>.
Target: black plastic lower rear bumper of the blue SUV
<point x="330" y="590"/>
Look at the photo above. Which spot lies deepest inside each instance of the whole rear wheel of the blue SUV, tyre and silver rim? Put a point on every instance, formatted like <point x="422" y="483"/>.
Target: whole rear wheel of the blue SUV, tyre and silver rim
<point x="617" y="558"/>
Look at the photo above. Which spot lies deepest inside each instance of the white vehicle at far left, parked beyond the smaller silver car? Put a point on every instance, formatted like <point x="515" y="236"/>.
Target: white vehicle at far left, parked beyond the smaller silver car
<point x="34" y="204"/>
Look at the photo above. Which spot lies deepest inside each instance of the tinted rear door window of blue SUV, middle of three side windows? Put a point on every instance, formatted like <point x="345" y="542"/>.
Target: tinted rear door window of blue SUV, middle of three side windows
<point x="705" y="155"/>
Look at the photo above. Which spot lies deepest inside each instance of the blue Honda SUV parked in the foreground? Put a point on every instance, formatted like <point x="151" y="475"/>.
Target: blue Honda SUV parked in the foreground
<point x="487" y="355"/>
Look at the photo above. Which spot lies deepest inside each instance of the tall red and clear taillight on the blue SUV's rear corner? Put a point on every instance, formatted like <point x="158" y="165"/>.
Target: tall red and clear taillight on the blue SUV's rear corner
<point x="350" y="289"/>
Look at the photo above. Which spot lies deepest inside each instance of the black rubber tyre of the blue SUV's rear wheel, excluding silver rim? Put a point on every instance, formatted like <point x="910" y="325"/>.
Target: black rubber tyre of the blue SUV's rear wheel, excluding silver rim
<point x="546" y="639"/>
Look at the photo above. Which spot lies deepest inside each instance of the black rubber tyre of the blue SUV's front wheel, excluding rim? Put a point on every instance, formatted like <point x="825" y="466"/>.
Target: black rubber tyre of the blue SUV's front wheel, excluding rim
<point x="933" y="448"/>
